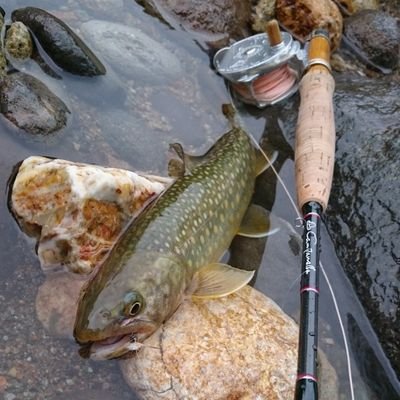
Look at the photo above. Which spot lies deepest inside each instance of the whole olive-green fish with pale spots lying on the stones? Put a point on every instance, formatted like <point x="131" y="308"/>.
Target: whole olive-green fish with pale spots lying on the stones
<point x="170" y="252"/>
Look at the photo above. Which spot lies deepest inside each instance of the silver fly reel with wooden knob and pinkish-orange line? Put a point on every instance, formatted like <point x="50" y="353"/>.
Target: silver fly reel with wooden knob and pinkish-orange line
<point x="262" y="69"/>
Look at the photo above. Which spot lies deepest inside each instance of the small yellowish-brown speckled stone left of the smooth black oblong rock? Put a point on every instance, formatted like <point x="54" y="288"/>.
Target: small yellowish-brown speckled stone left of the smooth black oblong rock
<point x="18" y="41"/>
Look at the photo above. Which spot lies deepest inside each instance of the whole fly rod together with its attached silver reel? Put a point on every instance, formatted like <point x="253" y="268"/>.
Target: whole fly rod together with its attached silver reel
<point x="263" y="70"/>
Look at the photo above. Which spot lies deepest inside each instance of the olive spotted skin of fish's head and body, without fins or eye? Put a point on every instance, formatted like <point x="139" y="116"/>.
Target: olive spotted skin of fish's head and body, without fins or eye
<point x="189" y="226"/>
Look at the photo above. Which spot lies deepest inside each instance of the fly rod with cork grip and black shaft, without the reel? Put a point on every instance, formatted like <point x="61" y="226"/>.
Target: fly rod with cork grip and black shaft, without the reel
<point x="314" y="162"/>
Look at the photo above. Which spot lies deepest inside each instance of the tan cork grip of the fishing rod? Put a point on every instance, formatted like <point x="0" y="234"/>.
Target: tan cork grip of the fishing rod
<point x="315" y="138"/>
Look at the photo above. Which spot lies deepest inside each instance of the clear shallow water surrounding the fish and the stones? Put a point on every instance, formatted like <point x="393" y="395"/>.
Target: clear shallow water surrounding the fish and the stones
<point x="122" y="122"/>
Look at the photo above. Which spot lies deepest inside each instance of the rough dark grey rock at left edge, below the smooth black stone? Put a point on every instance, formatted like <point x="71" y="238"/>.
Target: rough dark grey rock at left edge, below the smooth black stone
<point x="29" y="104"/>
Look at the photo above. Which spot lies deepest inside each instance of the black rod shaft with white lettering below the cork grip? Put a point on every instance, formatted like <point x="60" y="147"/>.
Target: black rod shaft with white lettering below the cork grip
<point x="307" y="383"/>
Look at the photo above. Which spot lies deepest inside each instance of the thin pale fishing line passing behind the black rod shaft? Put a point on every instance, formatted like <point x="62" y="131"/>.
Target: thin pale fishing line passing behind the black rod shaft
<point x="346" y="346"/>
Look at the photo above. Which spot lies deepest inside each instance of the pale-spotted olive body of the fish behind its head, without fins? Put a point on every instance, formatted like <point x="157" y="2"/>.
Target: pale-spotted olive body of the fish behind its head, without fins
<point x="198" y="216"/>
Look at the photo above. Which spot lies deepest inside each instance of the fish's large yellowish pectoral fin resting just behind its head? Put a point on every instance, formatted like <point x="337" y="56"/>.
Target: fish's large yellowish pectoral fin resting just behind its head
<point x="218" y="280"/>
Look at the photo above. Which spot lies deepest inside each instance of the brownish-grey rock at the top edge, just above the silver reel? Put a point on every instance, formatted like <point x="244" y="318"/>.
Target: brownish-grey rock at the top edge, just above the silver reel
<point x="226" y="17"/>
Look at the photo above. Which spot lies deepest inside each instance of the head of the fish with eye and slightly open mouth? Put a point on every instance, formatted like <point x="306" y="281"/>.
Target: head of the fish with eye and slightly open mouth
<point x="119" y="308"/>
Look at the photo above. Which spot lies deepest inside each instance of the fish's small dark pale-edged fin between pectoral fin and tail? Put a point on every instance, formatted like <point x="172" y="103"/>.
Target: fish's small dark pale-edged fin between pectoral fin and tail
<point x="256" y="223"/>
